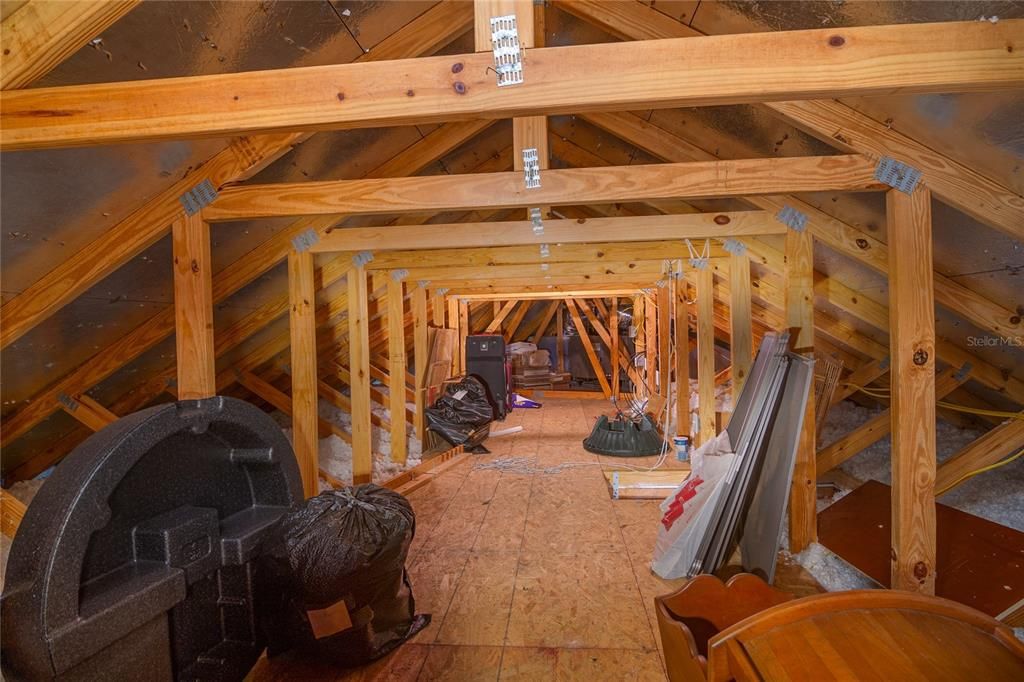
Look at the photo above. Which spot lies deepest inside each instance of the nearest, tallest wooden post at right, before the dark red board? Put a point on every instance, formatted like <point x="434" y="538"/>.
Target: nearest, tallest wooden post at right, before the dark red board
<point x="912" y="348"/>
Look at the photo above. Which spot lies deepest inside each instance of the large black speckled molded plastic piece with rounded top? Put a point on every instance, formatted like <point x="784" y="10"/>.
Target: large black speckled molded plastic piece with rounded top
<point x="137" y="560"/>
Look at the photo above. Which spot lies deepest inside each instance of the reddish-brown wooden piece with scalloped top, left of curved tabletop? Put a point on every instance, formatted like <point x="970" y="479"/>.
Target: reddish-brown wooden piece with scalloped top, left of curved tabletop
<point x="699" y="611"/>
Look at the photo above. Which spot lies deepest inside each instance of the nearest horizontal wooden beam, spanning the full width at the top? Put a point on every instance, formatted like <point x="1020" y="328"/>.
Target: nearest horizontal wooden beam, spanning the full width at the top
<point x="746" y="68"/>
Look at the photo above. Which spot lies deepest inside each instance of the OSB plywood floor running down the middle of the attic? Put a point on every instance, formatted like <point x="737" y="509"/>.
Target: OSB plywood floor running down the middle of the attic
<point x="530" y="576"/>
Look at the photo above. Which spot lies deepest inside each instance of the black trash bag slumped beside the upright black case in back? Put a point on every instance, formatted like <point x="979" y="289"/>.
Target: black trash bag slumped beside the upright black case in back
<point x="463" y="414"/>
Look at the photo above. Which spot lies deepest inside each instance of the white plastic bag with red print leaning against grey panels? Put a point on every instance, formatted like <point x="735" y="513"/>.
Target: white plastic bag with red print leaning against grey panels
<point x="688" y="510"/>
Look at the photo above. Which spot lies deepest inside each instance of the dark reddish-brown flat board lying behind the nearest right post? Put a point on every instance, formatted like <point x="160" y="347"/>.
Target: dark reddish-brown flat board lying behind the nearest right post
<point x="979" y="564"/>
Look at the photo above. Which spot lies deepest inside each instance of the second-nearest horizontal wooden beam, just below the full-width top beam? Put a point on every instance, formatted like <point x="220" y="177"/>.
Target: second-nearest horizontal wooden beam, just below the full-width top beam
<point x="570" y="186"/>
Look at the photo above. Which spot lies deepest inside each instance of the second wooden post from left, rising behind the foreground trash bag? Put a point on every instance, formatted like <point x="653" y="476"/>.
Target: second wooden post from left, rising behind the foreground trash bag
<point x="303" y="323"/>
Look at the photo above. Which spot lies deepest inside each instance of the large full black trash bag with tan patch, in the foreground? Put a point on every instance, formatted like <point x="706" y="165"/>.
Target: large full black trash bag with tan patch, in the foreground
<point x="346" y="545"/>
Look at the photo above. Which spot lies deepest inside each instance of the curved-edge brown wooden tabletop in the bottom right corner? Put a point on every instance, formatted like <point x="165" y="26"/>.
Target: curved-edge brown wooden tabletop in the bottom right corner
<point x="868" y="635"/>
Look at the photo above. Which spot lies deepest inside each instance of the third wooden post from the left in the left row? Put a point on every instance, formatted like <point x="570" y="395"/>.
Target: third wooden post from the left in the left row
<point x="359" y="368"/>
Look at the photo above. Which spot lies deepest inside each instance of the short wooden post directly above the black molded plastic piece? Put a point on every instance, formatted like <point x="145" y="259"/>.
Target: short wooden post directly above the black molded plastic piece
<point x="194" y="309"/>
